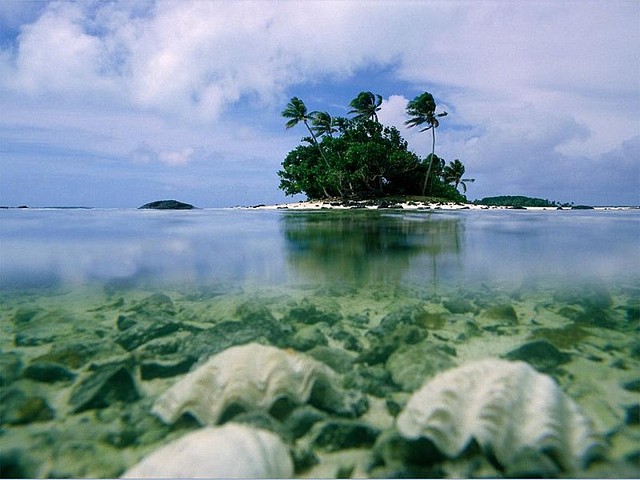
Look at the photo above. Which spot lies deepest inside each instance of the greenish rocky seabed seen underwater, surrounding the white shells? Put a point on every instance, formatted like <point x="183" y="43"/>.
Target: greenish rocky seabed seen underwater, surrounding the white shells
<point x="83" y="372"/>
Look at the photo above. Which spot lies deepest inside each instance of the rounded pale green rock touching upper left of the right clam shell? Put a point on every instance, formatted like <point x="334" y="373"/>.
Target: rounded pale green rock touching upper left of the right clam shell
<point x="411" y="365"/>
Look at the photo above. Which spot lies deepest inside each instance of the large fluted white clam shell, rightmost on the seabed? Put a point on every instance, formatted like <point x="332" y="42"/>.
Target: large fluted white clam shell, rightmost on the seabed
<point x="507" y="407"/>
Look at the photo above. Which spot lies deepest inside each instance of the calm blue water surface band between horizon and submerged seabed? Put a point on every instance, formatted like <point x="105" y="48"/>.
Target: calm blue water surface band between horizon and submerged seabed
<point x="277" y="247"/>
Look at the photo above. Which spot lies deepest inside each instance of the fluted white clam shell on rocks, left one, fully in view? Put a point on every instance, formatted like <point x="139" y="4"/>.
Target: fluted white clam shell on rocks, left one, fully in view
<point x="252" y="376"/>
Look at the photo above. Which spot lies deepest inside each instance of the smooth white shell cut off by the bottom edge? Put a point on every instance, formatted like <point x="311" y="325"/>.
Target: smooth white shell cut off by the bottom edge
<point x="230" y="451"/>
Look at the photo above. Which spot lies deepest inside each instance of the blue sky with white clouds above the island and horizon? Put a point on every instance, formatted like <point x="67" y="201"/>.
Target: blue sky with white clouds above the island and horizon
<point x="119" y="103"/>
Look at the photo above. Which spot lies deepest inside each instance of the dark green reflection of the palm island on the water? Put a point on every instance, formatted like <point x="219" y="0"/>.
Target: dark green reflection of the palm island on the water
<point x="366" y="247"/>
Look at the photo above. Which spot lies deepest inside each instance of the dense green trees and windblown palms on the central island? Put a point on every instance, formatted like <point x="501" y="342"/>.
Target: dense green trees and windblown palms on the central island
<point x="358" y="157"/>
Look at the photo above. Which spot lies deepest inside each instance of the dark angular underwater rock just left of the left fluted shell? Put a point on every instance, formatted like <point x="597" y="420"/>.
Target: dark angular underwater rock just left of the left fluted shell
<point x="105" y="385"/>
